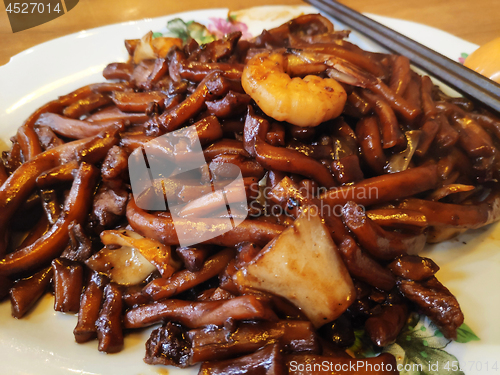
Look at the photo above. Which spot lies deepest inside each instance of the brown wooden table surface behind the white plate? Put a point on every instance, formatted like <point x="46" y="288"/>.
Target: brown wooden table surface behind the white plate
<point x="476" y="21"/>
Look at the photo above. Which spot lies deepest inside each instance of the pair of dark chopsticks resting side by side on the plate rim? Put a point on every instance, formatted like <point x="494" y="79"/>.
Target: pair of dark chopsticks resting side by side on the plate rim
<point x="455" y="75"/>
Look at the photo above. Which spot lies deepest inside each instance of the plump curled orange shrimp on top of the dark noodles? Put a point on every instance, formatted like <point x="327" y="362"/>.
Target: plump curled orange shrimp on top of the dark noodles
<point x="305" y="102"/>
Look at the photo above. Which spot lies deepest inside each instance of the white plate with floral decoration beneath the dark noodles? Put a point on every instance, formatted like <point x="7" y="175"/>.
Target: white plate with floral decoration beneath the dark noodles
<point x="43" y="343"/>
